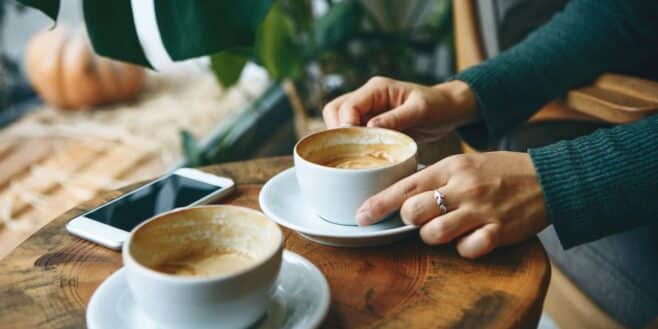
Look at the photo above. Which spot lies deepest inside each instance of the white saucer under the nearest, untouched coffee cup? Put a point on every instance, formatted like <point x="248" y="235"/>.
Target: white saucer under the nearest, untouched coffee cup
<point x="301" y="300"/>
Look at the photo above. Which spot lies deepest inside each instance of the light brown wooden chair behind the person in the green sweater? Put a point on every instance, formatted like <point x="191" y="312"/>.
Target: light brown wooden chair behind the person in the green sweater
<point x="613" y="98"/>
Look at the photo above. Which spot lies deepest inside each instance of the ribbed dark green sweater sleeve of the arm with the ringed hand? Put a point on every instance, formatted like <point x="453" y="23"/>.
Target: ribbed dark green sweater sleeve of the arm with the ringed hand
<point x="600" y="184"/>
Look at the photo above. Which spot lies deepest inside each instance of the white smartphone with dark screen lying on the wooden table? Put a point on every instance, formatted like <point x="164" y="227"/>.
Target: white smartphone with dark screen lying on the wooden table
<point x="110" y="224"/>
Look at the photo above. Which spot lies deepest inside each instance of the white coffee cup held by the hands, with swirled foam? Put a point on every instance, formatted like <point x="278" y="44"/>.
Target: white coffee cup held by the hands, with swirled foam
<point x="335" y="194"/>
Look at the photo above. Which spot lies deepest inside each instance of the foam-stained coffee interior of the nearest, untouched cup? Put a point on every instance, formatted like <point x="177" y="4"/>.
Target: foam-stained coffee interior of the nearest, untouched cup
<point x="205" y="241"/>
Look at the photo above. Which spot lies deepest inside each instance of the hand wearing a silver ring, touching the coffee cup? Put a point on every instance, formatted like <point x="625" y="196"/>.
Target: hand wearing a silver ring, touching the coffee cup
<point x="493" y="199"/>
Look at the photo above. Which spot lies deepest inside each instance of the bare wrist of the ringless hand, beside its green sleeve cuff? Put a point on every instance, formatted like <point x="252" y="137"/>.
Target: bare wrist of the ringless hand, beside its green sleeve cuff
<point x="461" y="100"/>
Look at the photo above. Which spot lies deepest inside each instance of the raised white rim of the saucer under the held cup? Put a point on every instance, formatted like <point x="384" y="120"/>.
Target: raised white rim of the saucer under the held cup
<point x="283" y="222"/>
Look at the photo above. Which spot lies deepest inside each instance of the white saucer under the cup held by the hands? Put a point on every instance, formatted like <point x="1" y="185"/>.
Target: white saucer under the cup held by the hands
<point x="281" y="200"/>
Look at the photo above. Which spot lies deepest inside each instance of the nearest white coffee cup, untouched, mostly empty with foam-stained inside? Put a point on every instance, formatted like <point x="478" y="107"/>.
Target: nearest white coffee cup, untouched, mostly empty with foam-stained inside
<point x="232" y="298"/>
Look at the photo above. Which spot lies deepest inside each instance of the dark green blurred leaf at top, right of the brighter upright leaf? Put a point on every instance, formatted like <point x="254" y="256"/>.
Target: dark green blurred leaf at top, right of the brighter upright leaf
<point x="337" y="25"/>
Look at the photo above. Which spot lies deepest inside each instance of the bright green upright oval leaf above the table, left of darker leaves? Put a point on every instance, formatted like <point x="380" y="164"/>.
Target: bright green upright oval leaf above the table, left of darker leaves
<point x="277" y="46"/>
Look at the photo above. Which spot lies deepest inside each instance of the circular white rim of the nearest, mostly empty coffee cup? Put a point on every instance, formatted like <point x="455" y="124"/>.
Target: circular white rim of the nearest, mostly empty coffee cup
<point x="128" y="258"/>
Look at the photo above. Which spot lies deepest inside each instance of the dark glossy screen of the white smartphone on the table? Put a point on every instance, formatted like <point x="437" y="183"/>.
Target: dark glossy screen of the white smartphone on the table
<point x="171" y="192"/>
